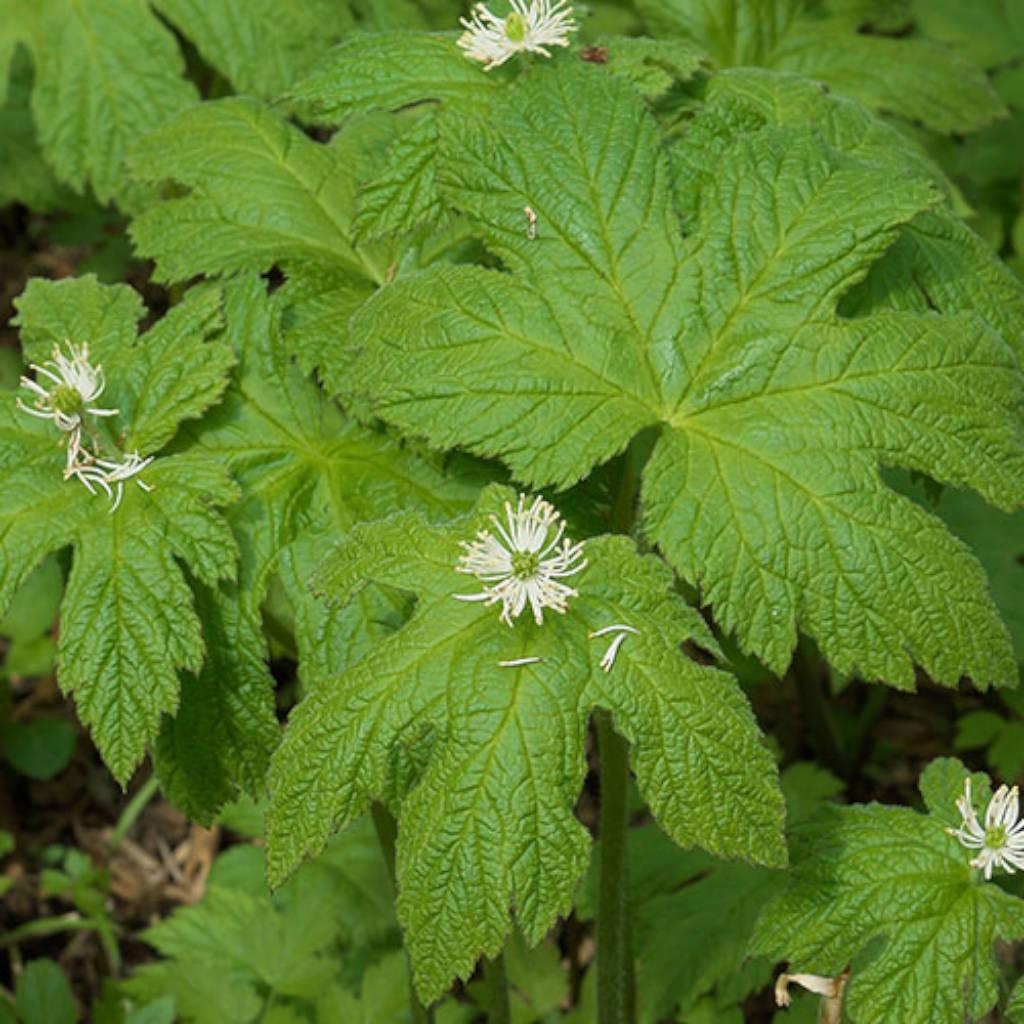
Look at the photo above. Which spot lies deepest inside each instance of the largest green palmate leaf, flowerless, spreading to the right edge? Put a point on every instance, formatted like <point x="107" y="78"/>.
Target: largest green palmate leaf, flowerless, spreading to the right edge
<point x="774" y="414"/>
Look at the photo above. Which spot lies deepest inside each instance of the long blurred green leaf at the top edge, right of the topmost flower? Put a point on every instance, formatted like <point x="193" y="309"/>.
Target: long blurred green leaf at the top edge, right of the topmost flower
<point x="914" y="78"/>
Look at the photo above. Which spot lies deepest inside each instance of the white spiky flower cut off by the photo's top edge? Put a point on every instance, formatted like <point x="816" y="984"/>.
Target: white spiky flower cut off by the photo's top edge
<point x="493" y="40"/>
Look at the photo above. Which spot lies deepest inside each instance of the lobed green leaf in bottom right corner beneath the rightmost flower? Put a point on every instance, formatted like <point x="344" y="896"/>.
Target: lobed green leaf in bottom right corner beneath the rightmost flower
<point x="885" y="891"/>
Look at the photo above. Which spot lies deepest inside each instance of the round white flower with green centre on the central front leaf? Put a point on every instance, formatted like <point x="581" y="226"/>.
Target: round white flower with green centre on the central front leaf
<point x="524" y="563"/>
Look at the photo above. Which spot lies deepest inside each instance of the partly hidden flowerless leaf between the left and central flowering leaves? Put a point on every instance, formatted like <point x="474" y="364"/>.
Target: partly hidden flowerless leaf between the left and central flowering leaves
<point x="308" y="476"/>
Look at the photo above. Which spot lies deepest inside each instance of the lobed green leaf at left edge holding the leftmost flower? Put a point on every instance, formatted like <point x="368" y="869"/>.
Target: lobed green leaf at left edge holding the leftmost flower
<point x="129" y="621"/>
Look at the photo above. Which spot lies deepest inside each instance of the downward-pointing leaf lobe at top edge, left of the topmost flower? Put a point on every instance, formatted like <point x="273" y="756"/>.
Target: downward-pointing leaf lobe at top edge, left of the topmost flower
<point x="261" y="47"/>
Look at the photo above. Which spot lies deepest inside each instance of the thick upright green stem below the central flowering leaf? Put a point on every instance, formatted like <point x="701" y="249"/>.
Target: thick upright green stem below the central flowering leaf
<point x="616" y="985"/>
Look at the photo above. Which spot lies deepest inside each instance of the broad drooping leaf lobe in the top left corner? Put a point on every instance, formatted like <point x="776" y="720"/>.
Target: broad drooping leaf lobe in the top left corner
<point x="107" y="72"/>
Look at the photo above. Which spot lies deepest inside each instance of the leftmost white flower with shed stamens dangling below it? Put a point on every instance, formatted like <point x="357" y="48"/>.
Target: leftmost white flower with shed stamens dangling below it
<point x="74" y="387"/>
